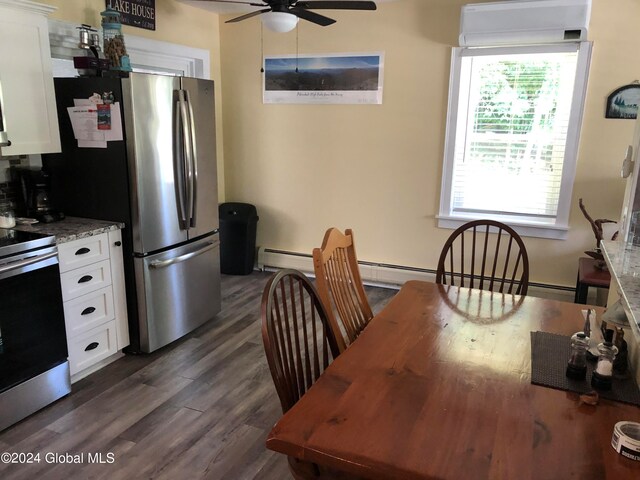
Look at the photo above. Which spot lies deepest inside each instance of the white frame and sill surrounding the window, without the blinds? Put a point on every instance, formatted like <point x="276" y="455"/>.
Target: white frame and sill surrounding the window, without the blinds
<point x="525" y="226"/>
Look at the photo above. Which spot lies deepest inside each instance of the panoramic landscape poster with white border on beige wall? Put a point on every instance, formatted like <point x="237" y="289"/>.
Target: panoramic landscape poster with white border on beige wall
<point x="323" y="79"/>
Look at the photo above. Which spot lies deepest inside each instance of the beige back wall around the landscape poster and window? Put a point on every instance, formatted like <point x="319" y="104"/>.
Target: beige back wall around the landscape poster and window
<point x="377" y="169"/>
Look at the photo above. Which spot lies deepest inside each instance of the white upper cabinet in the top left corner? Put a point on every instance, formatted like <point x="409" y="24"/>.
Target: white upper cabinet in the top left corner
<point x="27" y="99"/>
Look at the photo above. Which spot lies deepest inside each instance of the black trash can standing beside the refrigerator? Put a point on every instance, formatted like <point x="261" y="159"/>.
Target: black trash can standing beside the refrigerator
<point x="237" y="237"/>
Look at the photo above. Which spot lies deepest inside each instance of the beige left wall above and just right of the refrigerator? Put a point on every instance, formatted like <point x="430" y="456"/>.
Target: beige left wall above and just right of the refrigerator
<point x="175" y="23"/>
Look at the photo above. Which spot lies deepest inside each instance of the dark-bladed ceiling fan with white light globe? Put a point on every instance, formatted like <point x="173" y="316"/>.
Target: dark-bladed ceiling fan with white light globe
<point x="287" y="12"/>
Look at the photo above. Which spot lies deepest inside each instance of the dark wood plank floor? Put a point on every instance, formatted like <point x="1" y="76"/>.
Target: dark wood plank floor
<point x="199" y="408"/>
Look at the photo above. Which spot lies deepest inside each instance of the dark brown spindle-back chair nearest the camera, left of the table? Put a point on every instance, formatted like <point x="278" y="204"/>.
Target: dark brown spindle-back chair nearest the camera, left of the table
<point x="299" y="345"/>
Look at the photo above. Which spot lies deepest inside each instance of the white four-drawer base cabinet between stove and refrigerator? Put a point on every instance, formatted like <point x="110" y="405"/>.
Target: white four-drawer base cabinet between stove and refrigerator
<point x="95" y="308"/>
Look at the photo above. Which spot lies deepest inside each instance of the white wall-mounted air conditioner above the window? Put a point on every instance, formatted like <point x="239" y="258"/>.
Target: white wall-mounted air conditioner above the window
<point x="524" y="22"/>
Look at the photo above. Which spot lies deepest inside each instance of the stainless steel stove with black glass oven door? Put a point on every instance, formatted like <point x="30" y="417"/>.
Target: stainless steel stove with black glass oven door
<point x="34" y="370"/>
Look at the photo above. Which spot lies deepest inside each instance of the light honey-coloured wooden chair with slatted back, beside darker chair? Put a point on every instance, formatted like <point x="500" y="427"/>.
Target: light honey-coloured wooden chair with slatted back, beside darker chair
<point x="340" y="286"/>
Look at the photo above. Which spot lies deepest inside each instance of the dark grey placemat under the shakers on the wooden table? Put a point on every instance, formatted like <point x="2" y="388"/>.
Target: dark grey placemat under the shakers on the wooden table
<point x="549" y="355"/>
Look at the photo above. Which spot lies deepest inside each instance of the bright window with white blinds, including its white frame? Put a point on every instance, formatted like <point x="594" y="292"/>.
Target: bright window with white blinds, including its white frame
<point x="512" y="134"/>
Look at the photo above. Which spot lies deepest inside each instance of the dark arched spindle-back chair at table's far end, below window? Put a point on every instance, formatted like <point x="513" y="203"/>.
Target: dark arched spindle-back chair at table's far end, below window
<point x="487" y="255"/>
